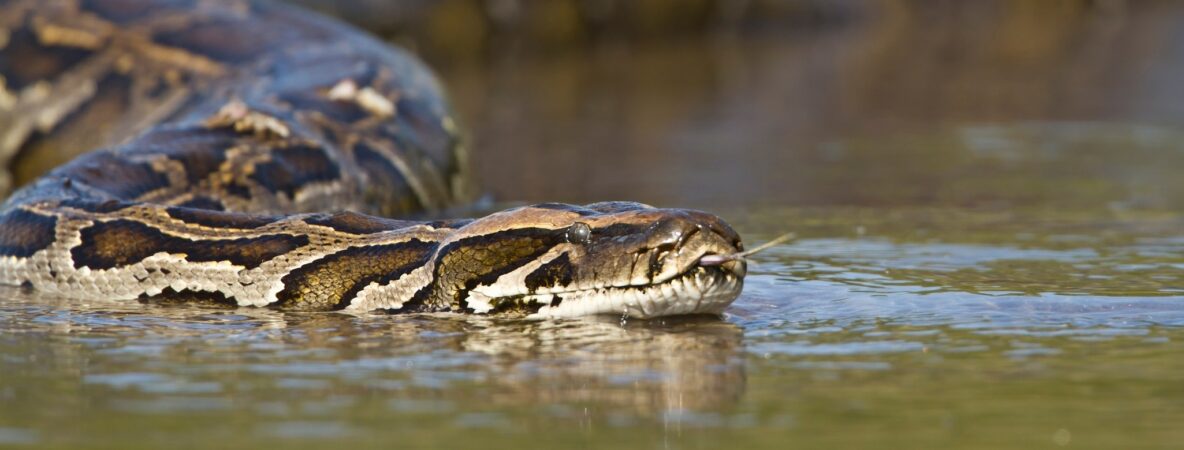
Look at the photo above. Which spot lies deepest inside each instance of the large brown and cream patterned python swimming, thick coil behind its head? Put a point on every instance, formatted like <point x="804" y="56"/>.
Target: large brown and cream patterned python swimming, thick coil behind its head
<point x="224" y="127"/>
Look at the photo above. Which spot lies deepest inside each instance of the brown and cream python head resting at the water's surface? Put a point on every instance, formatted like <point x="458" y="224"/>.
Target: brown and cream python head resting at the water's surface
<point x="555" y="261"/>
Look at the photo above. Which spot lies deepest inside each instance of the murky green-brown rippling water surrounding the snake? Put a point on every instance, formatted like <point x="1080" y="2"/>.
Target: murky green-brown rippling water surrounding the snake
<point x="988" y="259"/>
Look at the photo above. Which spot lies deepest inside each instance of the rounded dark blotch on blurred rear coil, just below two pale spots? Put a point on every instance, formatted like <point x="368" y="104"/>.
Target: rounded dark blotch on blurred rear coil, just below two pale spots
<point x="292" y="169"/>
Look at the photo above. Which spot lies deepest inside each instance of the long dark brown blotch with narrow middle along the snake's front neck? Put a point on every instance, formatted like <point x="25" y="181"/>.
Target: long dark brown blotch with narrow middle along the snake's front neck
<point x="110" y="245"/>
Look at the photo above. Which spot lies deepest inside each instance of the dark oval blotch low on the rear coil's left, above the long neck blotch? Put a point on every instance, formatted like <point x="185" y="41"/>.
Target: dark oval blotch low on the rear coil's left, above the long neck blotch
<point x="114" y="175"/>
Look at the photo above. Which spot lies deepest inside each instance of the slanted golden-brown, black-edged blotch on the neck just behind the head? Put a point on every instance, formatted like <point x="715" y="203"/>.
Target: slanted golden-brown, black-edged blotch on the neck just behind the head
<point x="332" y="282"/>
